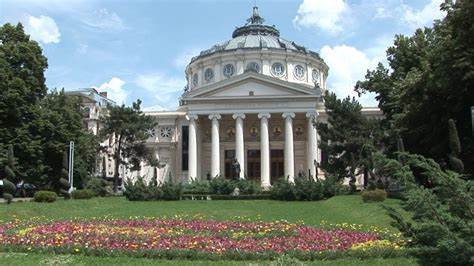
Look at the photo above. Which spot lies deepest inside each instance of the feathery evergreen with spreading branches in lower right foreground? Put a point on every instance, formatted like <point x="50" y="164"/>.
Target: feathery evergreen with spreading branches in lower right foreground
<point x="441" y="208"/>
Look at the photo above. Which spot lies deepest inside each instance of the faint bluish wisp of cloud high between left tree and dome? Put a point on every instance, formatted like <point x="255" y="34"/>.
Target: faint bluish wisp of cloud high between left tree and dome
<point x="104" y="19"/>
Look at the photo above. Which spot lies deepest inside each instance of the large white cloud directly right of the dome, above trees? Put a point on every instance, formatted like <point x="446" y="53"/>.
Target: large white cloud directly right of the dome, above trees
<point x="347" y="65"/>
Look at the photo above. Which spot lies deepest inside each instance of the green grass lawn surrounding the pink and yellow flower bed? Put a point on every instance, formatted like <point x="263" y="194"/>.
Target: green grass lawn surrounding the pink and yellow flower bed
<point x="349" y="209"/>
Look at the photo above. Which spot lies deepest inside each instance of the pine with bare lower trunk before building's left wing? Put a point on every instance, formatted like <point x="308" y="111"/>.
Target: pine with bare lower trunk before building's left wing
<point x="130" y="129"/>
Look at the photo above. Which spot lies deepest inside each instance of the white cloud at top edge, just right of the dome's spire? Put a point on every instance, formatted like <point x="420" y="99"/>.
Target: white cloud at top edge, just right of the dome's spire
<point x="326" y="15"/>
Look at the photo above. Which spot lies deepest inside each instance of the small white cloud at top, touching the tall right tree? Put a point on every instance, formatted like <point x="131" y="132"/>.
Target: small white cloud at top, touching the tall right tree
<point x="425" y="16"/>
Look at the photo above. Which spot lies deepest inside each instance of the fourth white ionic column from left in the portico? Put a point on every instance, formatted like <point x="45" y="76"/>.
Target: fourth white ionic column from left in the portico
<point x="264" y="150"/>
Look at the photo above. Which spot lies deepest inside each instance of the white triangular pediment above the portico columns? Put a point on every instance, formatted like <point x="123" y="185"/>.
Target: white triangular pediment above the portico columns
<point x="251" y="84"/>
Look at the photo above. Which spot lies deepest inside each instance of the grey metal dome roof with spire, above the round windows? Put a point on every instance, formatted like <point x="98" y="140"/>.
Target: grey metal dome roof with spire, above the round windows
<point x="255" y="35"/>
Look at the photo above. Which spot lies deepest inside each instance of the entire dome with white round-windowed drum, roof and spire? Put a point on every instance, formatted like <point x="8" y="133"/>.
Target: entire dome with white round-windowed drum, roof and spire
<point x="259" y="48"/>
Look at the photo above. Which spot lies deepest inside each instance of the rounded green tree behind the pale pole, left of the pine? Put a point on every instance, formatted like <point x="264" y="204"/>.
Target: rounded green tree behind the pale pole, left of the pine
<point x="62" y="122"/>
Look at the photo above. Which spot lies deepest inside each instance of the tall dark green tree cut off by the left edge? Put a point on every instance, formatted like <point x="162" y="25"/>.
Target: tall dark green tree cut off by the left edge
<point x="22" y="86"/>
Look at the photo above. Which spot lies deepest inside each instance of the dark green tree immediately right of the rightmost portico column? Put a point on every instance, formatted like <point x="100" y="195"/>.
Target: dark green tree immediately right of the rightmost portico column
<point x="348" y="139"/>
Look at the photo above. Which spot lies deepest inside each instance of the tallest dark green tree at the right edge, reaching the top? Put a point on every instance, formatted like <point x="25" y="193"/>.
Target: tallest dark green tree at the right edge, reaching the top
<point x="430" y="79"/>
